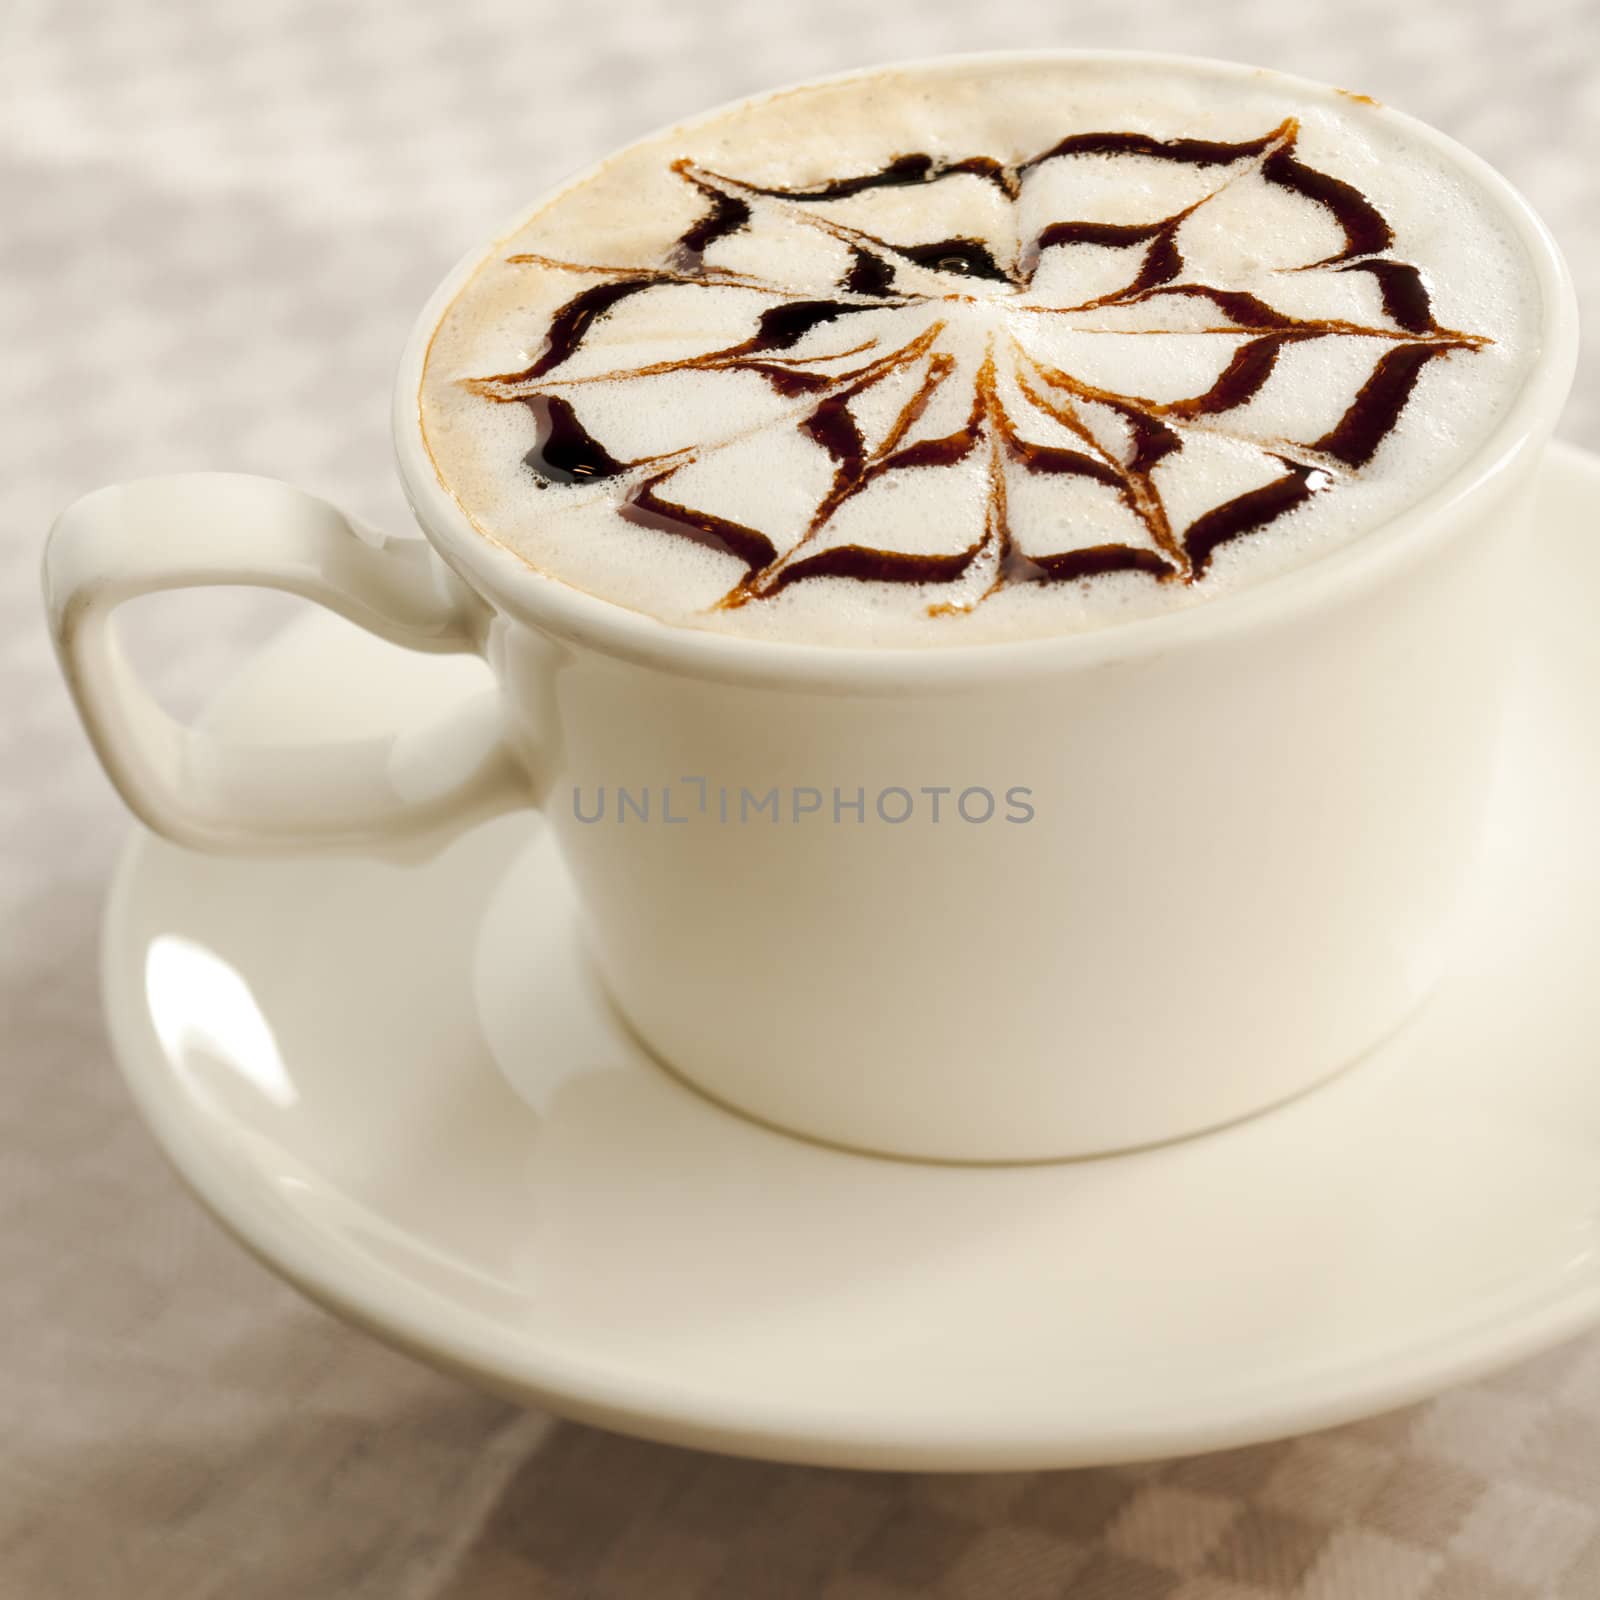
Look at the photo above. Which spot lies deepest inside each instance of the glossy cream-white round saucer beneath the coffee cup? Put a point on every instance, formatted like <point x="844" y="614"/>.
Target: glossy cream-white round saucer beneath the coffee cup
<point x="402" y="1090"/>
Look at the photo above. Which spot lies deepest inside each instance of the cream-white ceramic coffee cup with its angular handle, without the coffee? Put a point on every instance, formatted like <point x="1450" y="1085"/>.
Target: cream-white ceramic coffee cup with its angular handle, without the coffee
<point x="1247" y="823"/>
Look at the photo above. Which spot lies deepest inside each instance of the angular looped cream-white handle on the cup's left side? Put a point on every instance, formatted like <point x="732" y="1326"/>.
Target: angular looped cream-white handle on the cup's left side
<point x="191" y="786"/>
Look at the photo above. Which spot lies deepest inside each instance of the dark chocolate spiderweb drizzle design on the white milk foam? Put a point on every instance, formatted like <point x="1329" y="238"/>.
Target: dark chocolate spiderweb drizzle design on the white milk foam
<point x="826" y="351"/>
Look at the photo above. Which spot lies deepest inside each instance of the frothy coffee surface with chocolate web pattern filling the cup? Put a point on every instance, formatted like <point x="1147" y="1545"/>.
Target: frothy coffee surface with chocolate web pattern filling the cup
<point x="978" y="353"/>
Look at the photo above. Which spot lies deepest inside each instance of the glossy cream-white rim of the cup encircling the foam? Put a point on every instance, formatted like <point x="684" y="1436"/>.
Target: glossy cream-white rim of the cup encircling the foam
<point x="537" y="599"/>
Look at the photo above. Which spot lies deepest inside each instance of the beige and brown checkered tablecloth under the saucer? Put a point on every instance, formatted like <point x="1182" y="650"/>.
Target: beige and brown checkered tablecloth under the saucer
<point x="217" y="223"/>
